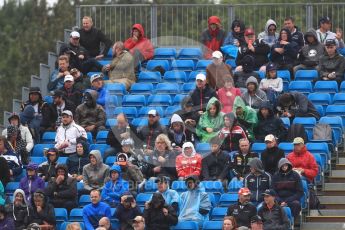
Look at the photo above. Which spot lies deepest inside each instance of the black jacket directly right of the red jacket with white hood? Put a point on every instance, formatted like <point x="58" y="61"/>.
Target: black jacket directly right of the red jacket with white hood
<point x="214" y="166"/>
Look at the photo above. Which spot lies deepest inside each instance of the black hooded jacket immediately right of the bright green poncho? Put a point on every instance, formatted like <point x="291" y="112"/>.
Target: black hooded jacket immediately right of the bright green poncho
<point x="270" y="125"/>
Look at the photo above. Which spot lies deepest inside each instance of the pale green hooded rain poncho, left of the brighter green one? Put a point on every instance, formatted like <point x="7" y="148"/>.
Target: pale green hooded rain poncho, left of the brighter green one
<point x="206" y="121"/>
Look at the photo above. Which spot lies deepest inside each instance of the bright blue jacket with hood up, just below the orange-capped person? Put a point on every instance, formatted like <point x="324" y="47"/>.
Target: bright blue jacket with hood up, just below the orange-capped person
<point x="112" y="191"/>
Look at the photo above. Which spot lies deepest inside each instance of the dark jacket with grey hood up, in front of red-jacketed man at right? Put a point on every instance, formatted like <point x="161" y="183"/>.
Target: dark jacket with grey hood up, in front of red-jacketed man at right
<point x="288" y="185"/>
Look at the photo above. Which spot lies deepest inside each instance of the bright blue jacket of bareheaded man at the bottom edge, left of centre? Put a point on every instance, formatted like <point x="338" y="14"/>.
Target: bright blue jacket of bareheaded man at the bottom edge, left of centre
<point x="93" y="213"/>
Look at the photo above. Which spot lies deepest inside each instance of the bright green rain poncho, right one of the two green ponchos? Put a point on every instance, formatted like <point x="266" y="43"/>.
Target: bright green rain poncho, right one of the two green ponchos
<point x="248" y="118"/>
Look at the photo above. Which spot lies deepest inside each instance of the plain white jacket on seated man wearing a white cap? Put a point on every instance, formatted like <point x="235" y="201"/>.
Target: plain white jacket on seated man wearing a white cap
<point x="70" y="134"/>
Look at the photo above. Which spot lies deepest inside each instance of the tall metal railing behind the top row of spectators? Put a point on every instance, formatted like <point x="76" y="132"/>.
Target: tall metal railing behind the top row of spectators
<point x="182" y="24"/>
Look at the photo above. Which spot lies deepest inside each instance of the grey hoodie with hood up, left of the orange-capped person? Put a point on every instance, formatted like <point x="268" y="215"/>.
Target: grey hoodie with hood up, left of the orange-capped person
<point x="96" y="176"/>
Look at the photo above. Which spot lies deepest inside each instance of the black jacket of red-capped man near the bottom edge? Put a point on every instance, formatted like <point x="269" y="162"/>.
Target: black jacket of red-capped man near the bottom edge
<point x="242" y="213"/>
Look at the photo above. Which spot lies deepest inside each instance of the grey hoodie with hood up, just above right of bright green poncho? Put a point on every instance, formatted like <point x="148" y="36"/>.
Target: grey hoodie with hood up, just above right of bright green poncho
<point x="254" y="101"/>
